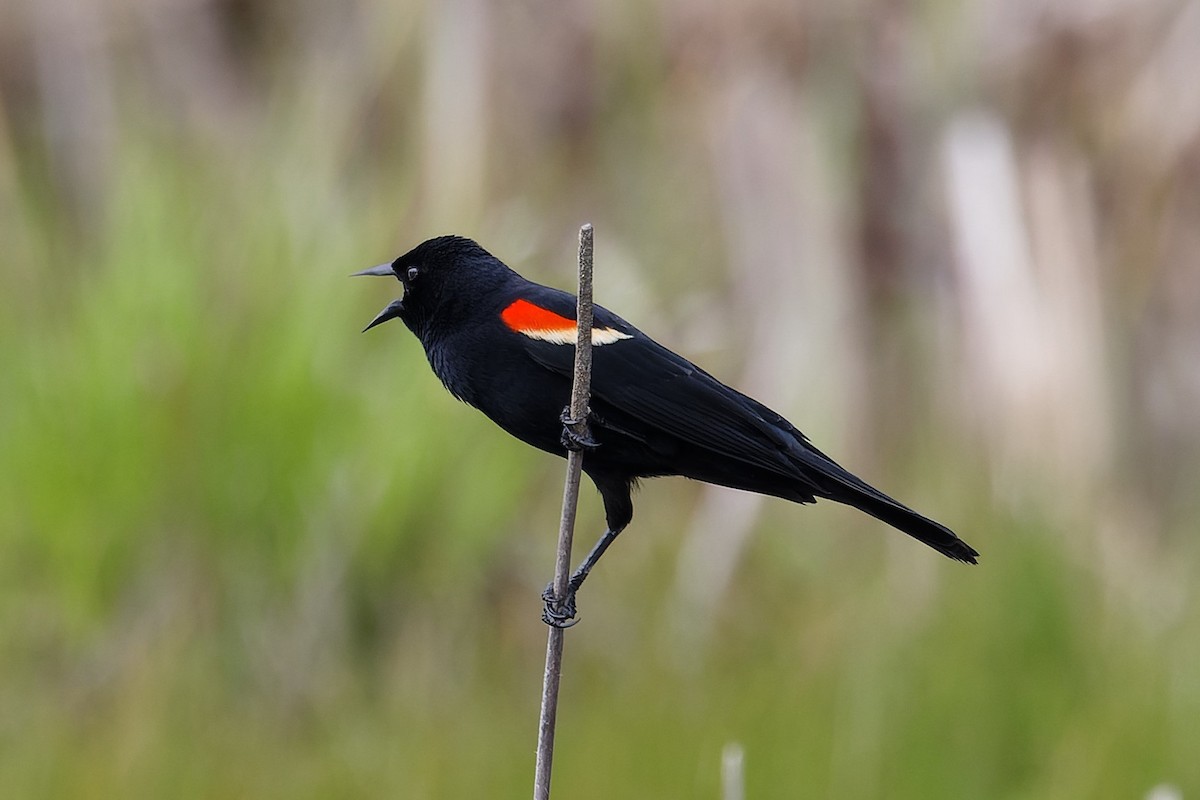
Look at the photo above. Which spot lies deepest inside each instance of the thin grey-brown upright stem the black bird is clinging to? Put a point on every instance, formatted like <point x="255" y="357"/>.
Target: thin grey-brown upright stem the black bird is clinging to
<point x="579" y="422"/>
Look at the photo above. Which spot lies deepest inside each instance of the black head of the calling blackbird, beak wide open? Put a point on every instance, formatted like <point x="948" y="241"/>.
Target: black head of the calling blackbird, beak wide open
<point x="442" y="279"/>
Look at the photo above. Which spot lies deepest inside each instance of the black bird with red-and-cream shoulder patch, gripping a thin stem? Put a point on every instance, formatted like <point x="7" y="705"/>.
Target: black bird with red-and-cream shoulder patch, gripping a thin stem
<point x="506" y="346"/>
